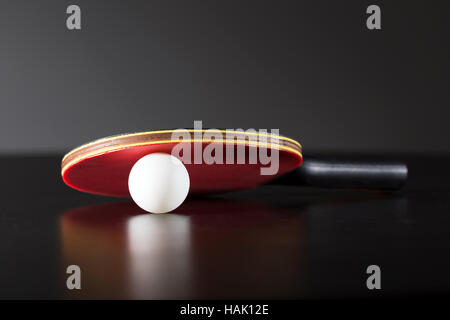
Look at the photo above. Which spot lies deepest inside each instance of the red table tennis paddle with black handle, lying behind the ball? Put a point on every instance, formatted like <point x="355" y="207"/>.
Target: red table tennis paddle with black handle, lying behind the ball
<point x="103" y="166"/>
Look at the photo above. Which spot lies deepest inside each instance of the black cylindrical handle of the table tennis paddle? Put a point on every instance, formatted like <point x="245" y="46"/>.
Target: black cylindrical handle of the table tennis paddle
<point x="352" y="174"/>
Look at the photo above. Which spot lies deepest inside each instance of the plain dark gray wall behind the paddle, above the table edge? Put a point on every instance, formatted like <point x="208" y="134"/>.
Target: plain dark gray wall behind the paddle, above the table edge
<point x="310" y="68"/>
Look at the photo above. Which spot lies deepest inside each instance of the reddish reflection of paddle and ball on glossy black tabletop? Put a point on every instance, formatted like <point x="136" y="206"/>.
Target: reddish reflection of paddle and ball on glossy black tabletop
<point x="208" y="248"/>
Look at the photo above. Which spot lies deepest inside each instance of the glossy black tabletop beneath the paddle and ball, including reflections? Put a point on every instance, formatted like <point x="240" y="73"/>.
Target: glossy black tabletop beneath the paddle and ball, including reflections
<point x="269" y="242"/>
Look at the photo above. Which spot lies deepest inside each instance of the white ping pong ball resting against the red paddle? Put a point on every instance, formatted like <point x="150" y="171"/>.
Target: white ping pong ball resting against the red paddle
<point x="158" y="182"/>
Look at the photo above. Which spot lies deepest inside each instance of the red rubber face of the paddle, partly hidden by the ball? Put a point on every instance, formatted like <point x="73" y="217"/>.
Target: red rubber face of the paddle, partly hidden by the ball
<point x="107" y="173"/>
